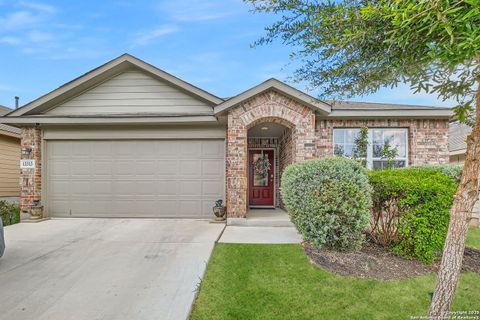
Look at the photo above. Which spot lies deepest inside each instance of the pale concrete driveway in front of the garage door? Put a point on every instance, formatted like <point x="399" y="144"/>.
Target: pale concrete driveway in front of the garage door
<point x="104" y="268"/>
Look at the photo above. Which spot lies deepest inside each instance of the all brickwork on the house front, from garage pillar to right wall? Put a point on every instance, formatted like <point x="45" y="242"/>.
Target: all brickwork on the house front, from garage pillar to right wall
<point x="303" y="139"/>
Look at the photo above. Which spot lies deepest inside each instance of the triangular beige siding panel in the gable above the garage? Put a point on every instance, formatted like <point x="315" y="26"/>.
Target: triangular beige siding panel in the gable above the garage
<point x="133" y="92"/>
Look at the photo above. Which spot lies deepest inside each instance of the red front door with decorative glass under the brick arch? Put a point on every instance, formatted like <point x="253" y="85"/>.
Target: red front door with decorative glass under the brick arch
<point x="260" y="180"/>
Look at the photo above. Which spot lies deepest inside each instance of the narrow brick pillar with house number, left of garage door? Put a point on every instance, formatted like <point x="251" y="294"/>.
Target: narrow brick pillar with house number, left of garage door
<point x="30" y="179"/>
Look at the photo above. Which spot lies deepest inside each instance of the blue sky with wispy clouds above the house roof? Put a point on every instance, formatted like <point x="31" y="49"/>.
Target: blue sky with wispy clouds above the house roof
<point x="44" y="44"/>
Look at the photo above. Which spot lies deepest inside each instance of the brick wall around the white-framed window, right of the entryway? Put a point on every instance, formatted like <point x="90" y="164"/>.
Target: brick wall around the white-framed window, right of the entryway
<point x="427" y="139"/>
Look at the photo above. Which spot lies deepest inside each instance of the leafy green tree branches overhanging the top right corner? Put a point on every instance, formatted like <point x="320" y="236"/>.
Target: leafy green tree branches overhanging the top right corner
<point x="352" y="47"/>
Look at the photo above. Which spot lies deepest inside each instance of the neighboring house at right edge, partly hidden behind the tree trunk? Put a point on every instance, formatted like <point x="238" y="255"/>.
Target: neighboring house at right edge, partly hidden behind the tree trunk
<point x="457" y="148"/>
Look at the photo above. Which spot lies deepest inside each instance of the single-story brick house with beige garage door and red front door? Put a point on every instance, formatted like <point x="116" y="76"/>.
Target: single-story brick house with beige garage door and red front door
<point x="130" y="140"/>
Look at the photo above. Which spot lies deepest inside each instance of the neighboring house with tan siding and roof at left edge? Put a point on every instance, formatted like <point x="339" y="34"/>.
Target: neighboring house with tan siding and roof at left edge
<point x="9" y="160"/>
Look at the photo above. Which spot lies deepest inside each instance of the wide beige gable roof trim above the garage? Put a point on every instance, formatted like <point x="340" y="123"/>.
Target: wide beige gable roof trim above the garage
<point x="102" y="73"/>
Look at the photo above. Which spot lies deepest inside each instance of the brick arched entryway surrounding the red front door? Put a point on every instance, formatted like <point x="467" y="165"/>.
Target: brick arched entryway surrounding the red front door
<point x="292" y="128"/>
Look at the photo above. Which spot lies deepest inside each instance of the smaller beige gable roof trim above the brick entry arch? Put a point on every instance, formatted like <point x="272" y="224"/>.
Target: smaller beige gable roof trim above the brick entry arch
<point x="279" y="86"/>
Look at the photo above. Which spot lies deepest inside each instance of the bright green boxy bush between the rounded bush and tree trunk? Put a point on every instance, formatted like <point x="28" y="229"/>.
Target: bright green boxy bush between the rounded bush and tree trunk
<point x="411" y="210"/>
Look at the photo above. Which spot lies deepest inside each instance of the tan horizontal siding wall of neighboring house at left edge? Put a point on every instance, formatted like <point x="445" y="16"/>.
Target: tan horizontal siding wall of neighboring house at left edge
<point x="9" y="166"/>
